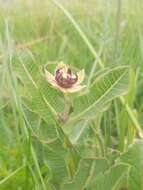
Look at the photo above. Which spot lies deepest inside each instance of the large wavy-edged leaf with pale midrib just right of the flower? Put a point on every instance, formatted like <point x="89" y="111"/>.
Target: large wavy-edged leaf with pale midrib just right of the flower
<point x="112" y="84"/>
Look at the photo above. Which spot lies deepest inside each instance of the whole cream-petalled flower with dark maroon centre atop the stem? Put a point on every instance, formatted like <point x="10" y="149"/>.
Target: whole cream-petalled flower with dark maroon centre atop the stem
<point x="65" y="79"/>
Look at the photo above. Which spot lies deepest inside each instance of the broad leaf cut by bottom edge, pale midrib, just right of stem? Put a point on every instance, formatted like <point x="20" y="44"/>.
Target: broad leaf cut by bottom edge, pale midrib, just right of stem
<point x="87" y="170"/>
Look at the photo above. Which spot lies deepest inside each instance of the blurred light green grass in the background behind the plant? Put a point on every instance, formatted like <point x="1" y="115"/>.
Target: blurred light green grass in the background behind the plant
<point x="114" y="28"/>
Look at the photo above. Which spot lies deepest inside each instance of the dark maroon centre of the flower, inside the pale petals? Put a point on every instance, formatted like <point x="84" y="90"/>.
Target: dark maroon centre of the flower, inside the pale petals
<point x="65" y="80"/>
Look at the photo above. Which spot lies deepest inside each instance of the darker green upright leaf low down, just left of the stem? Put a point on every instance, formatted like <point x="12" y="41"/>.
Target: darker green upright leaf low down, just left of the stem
<point x="55" y="157"/>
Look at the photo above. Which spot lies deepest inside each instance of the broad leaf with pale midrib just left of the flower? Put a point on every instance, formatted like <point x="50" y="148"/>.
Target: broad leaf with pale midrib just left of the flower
<point x="40" y="96"/>
